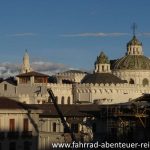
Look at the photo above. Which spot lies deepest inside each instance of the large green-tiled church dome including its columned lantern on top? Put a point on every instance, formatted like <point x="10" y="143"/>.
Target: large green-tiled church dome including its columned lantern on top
<point x="134" y="58"/>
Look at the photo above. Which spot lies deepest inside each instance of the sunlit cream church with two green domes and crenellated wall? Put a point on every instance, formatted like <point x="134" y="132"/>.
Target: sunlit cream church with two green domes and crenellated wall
<point x="127" y="79"/>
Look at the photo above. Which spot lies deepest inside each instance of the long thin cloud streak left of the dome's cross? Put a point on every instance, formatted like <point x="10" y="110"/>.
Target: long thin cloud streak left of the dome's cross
<point x="98" y="34"/>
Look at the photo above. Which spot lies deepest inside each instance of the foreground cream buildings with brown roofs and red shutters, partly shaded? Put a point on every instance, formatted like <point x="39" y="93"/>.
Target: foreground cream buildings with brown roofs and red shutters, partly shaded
<point x="37" y="126"/>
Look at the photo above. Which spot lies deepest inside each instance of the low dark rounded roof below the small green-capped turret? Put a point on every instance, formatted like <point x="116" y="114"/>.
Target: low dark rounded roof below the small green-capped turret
<point x="102" y="78"/>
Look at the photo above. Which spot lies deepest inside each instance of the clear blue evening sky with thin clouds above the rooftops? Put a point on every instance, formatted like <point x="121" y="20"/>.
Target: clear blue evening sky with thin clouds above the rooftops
<point x="64" y="34"/>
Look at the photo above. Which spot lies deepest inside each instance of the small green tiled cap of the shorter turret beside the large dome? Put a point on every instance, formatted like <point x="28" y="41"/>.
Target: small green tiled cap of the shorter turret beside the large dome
<point x="102" y="59"/>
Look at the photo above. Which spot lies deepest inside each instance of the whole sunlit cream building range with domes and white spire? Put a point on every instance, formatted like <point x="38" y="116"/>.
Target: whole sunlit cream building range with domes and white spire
<point x="111" y="82"/>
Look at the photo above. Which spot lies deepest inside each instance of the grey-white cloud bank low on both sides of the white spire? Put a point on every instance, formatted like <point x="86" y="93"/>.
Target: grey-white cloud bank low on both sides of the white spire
<point x="8" y="69"/>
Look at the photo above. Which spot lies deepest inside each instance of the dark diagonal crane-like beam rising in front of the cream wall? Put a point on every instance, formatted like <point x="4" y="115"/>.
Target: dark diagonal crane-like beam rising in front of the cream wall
<point x="53" y="98"/>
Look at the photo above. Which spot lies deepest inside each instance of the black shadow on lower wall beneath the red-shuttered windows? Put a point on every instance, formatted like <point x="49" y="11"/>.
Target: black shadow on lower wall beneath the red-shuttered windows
<point x="16" y="140"/>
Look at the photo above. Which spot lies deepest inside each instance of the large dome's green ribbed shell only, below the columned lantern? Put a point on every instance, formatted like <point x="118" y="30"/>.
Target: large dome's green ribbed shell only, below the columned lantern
<point x="132" y="62"/>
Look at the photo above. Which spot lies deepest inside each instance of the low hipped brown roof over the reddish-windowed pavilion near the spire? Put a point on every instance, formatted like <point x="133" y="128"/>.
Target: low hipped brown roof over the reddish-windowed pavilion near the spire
<point x="32" y="73"/>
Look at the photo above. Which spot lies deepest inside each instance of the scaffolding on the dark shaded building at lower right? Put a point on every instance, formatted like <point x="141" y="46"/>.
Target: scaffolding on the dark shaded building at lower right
<point x="123" y="119"/>
